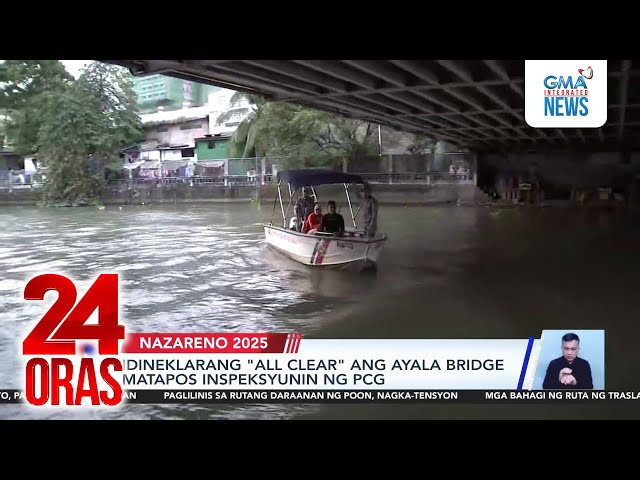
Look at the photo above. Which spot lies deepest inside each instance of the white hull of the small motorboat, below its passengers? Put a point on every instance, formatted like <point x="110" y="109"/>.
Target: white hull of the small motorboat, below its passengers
<point x="322" y="250"/>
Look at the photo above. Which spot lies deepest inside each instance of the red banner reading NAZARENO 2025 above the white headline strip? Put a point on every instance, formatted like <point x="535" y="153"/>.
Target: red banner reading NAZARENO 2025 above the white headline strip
<point x="212" y="343"/>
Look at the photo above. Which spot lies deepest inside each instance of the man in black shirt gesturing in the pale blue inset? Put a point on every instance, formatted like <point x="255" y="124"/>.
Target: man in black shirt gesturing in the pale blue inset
<point x="569" y="371"/>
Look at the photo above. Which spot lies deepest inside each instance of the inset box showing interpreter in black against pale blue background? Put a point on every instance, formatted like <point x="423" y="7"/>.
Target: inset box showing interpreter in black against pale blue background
<point x="569" y="359"/>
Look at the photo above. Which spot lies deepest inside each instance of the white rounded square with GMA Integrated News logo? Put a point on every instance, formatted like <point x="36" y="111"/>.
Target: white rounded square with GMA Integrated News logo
<point x="566" y="93"/>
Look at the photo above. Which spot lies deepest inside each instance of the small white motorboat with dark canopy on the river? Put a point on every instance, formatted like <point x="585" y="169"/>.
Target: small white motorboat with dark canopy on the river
<point x="351" y="249"/>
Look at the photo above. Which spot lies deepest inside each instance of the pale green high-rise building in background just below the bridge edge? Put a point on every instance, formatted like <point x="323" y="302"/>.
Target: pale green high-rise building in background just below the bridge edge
<point x="159" y="92"/>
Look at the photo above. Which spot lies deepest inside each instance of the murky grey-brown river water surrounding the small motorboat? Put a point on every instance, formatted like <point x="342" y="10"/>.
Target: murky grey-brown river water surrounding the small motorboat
<point x="446" y="272"/>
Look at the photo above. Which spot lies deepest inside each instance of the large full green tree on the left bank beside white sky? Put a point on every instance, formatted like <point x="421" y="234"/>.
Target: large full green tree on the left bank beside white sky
<point x="84" y="128"/>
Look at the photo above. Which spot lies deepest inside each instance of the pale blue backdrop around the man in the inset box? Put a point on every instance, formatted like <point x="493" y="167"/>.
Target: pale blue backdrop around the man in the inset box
<point x="591" y="350"/>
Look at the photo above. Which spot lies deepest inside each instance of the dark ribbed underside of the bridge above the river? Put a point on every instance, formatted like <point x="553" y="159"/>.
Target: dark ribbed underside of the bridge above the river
<point x="474" y="104"/>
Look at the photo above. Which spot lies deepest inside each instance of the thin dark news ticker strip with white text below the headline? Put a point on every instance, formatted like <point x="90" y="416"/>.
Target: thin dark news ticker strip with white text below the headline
<point x="356" y="396"/>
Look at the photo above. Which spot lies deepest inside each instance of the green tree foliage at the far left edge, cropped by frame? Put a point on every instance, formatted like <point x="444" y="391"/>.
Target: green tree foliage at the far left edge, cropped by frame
<point x="22" y="86"/>
